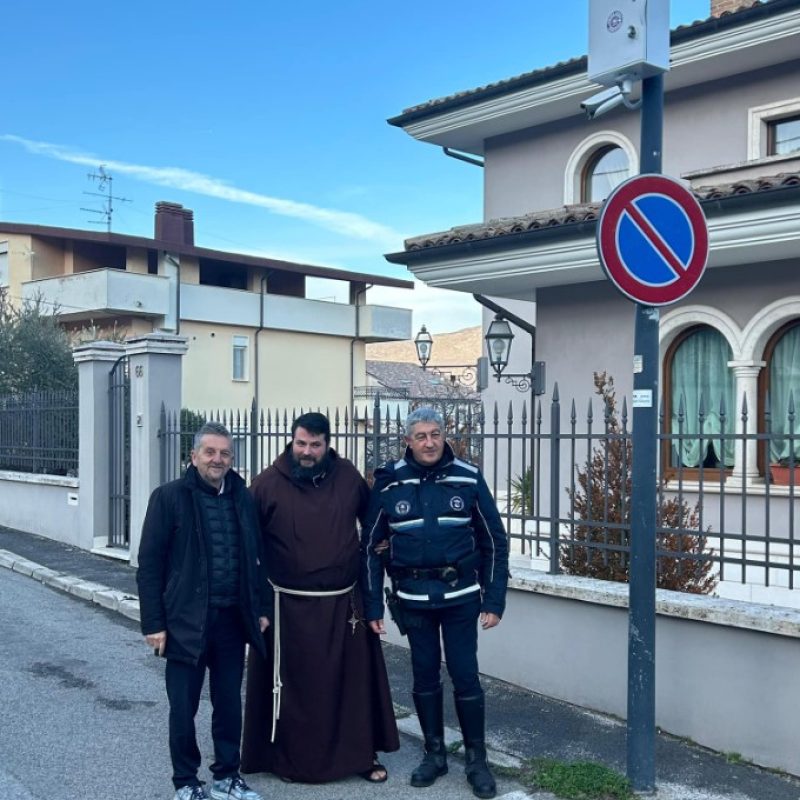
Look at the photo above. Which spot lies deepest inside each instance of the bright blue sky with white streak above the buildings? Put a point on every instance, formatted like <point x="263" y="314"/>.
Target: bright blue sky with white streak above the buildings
<point x="267" y="119"/>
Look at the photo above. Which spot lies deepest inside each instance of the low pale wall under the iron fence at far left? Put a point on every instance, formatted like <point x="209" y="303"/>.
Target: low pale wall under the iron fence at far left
<point x="46" y="505"/>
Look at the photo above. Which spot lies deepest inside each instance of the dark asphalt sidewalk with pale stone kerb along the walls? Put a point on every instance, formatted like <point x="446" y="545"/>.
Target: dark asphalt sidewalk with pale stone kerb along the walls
<point x="521" y="724"/>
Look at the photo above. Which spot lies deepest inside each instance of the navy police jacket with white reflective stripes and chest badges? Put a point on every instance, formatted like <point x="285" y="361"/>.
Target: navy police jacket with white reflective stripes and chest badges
<point x="445" y="537"/>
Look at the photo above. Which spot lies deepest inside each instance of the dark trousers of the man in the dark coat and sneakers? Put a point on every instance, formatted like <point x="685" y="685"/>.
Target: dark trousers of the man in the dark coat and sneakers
<point x="224" y="659"/>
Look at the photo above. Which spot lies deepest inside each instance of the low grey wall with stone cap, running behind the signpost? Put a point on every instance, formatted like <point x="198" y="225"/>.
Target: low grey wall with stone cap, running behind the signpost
<point x="725" y="671"/>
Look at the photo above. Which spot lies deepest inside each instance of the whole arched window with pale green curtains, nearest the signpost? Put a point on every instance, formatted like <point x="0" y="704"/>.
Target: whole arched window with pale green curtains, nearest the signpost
<point x="698" y="388"/>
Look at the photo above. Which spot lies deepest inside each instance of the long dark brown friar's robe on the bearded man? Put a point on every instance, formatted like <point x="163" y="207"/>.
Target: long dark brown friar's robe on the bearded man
<point x="336" y="710"/>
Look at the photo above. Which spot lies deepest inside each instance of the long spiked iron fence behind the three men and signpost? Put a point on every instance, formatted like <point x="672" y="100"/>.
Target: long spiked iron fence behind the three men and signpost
<point x="562" y="483"/>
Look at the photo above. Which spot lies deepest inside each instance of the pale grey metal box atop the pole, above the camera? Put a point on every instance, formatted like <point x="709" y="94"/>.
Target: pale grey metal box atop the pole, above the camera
<point x="628" y="39"/>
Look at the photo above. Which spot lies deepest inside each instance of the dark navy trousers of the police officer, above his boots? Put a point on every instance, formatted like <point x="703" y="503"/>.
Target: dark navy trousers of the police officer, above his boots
<point x="457" y="628"/>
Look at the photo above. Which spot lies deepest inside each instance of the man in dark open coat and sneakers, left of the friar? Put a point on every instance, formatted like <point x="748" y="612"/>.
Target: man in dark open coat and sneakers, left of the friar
<point x="203" y="596"/>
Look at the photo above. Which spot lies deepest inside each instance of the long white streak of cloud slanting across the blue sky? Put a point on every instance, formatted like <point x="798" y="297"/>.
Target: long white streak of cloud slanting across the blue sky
<point x="344" y="223"/>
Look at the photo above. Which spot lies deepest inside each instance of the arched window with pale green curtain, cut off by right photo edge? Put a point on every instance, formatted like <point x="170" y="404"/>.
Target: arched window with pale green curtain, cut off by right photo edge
<point x="782" y="377"/>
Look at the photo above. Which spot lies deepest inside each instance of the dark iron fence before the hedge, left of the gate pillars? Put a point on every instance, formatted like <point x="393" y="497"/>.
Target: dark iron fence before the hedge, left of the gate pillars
<point x="39" y="432"/>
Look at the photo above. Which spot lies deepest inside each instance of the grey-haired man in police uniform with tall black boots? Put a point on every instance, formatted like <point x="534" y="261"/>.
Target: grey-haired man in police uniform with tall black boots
<point x="434" y="525"/>
